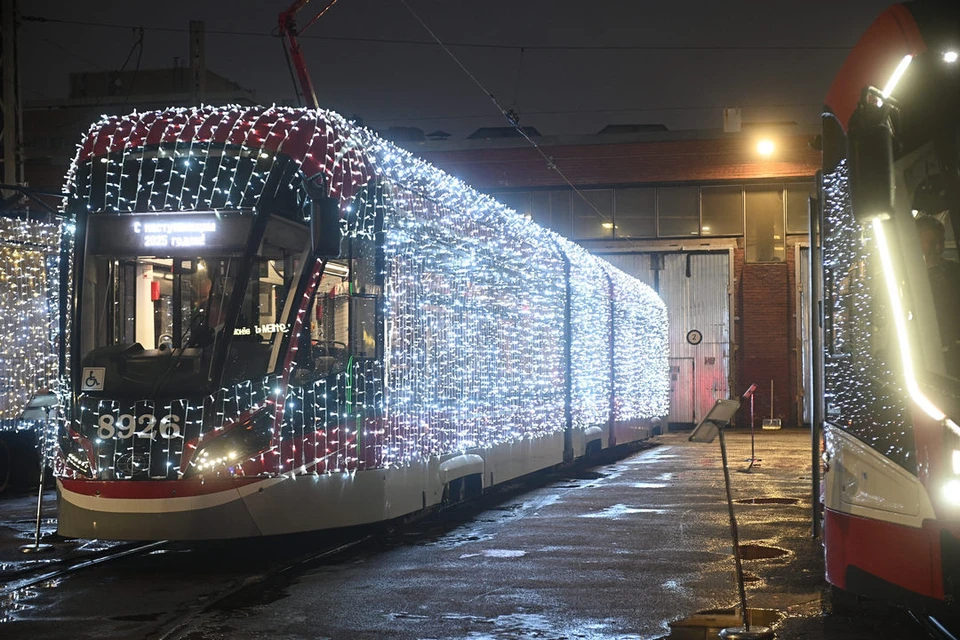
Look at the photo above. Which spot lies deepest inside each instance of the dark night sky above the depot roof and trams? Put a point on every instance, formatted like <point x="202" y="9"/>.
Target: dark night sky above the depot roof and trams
<point x="583" y="65"/>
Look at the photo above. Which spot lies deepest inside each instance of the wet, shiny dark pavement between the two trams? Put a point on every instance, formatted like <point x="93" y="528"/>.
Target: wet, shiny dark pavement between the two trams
<point x="634" y="548"/>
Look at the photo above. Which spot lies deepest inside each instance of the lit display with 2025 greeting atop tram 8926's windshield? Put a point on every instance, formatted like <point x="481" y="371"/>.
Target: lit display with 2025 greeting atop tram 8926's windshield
<point x="168" y="234"/>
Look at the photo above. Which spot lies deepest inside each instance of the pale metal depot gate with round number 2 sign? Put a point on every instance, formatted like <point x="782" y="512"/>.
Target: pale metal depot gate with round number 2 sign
<point x="695" y="288"/>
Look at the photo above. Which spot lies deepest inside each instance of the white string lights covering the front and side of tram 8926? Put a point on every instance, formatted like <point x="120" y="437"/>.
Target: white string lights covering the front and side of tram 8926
<point x="470" y="303"/>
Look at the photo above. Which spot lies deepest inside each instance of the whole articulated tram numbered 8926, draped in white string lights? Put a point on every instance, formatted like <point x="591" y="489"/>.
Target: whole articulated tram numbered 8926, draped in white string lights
<point x="283" y="323"/>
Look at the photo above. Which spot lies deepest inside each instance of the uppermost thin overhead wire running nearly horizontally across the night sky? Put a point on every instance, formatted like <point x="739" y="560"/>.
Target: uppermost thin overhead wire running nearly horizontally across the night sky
<point x="474" y="45"/>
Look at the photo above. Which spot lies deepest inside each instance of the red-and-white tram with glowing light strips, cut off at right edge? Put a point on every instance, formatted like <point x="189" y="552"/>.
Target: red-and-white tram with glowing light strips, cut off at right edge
<point x="890" y="341"/>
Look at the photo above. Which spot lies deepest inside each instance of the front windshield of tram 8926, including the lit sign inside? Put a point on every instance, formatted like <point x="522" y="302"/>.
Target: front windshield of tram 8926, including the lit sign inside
<point x="165" y="297"/>
